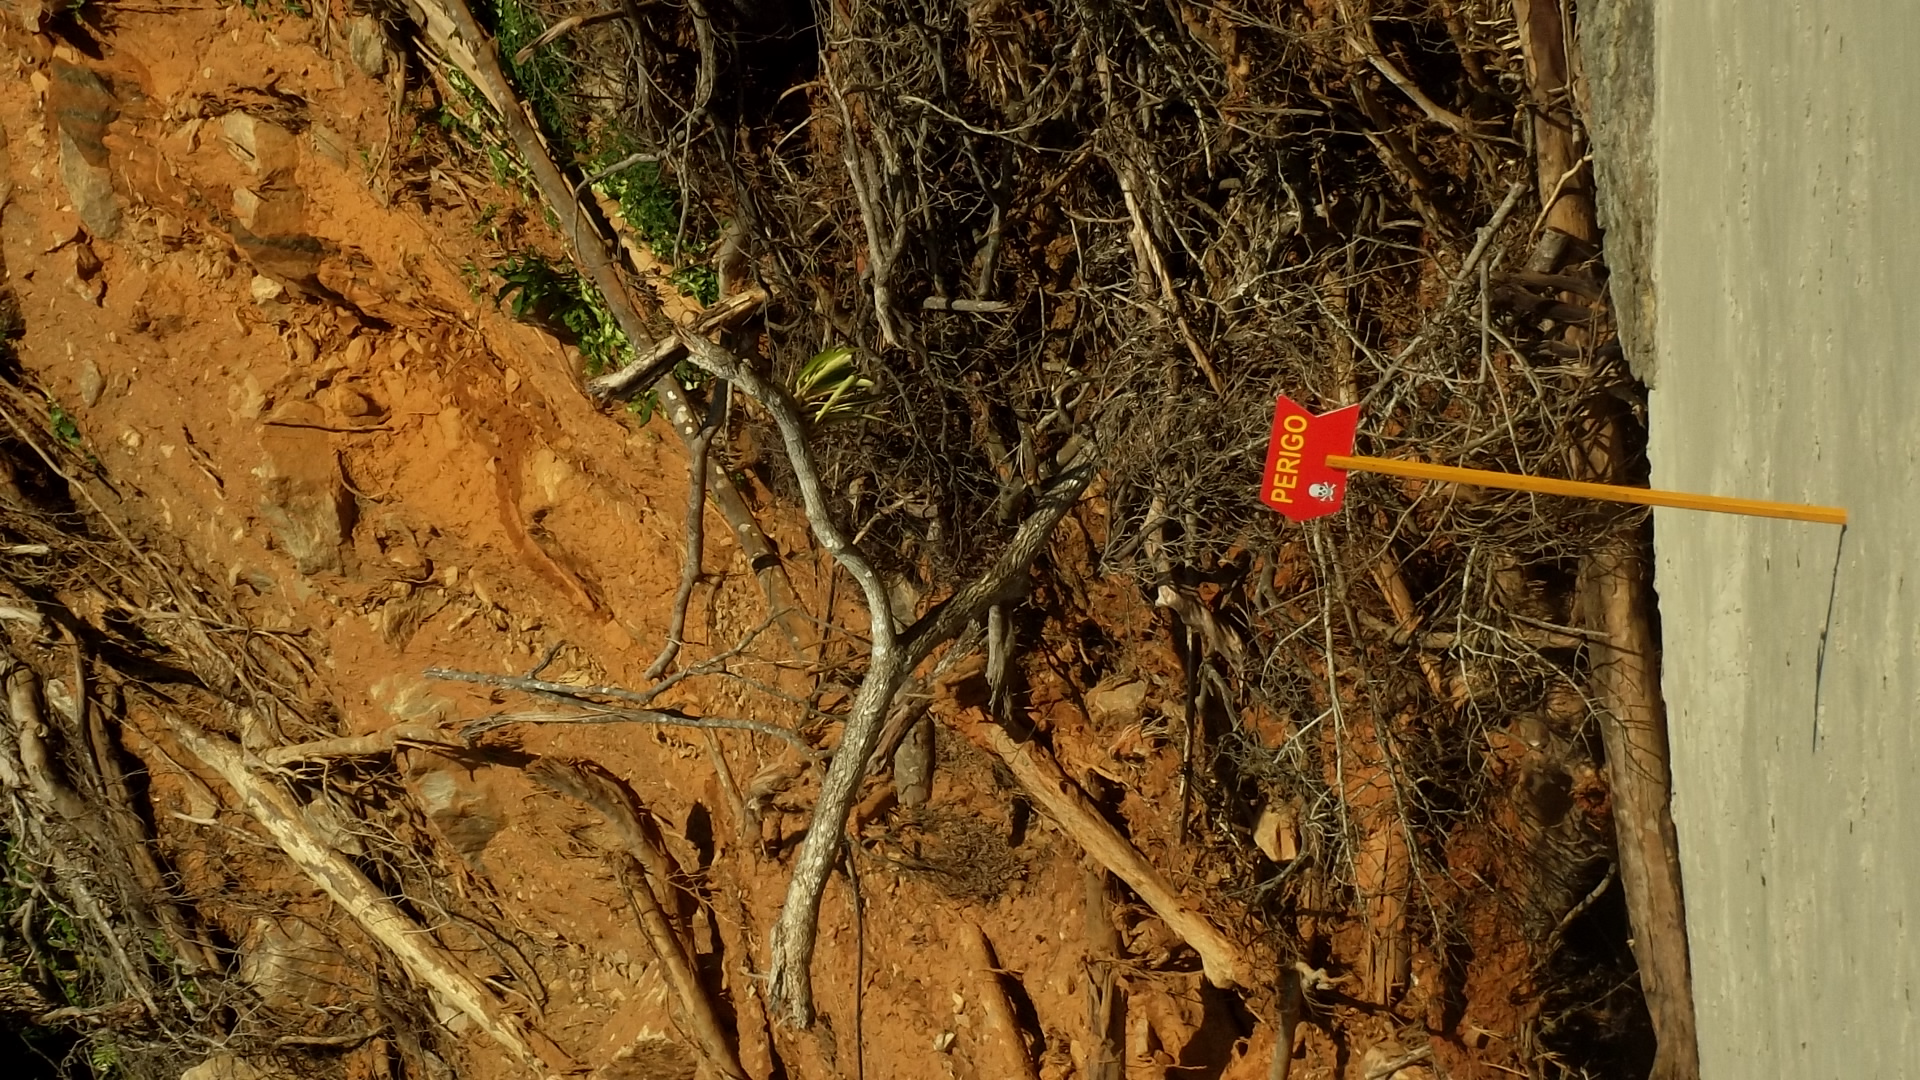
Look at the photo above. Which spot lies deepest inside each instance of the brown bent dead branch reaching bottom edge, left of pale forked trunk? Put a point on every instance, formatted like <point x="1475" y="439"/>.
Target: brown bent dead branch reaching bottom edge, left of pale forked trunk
<point x="615" y="802"/>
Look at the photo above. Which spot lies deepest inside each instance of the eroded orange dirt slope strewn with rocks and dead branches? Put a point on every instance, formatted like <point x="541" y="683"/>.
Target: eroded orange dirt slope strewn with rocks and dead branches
<point x="268" y="335"/>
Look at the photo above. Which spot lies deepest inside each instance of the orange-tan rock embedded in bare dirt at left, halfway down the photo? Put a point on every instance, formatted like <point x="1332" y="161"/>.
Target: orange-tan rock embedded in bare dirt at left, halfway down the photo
<point x="304" y="499"/>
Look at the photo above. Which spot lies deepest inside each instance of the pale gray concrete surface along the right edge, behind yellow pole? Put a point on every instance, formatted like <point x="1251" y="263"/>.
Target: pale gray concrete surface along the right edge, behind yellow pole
<point x="1785" y="268"/>
